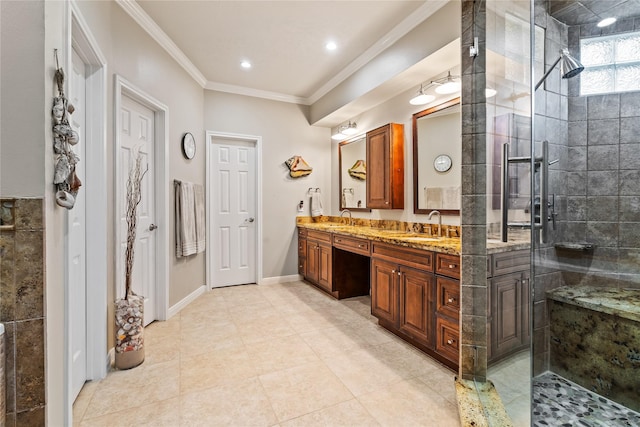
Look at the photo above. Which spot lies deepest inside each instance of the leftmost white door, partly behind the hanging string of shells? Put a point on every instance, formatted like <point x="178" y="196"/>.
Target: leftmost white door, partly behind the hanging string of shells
<point x="76" y="237"/>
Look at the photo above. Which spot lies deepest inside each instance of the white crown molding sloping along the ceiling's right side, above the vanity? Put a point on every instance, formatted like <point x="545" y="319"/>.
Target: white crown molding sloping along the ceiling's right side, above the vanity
<point x="399" y="31"/>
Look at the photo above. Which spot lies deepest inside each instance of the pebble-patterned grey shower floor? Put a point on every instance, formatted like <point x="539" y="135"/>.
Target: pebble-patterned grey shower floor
<point x="559" y="402"/>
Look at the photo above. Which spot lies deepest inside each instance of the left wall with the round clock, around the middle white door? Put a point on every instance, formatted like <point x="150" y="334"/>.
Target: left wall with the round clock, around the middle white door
<point x="132" y="54"/>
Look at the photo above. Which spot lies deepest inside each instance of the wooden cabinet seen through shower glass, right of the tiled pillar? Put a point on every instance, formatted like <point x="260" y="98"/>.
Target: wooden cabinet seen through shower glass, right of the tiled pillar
<point x="509" y="300"/>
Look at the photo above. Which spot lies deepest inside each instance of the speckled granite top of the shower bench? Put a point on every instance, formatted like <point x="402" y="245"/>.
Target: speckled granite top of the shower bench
<point x="619" y="302"/>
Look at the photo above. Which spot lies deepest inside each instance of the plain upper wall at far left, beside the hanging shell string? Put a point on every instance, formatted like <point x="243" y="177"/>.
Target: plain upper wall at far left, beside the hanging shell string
<point x="23" y="98"/>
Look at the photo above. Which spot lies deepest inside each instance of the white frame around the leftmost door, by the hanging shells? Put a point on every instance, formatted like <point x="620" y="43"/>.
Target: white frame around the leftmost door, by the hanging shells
<point x="80" y="38"/>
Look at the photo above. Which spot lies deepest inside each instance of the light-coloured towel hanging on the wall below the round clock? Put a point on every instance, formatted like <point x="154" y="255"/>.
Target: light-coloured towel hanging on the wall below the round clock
<point x="185" y="220"/>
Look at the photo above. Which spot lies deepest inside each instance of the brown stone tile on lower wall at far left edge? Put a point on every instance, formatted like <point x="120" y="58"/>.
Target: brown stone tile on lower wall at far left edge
<point x="21" y="311"/>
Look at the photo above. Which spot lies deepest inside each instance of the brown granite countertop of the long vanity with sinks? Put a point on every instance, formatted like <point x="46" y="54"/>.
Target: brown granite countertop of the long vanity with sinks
<point x="401" y="237"/>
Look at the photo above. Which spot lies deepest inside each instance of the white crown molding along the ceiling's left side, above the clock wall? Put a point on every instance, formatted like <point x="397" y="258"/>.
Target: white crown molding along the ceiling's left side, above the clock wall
<point x="134" y="10"/>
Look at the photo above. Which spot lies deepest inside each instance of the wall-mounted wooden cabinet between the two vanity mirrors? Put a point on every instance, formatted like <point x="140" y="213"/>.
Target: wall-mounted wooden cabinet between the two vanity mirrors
<point x="385" y="167"/>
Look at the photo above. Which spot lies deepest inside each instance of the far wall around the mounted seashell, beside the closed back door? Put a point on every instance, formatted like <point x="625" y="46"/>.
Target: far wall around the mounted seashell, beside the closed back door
<point x="285" y="132"/>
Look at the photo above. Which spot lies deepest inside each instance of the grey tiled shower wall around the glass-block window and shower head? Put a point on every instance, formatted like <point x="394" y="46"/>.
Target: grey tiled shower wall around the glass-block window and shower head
<point x="597" y="139"/>
